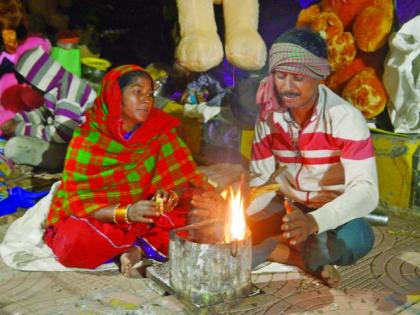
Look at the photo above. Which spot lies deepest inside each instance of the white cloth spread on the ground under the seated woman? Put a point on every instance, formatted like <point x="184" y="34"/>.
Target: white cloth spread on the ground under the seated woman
<point x="23" y="246"/>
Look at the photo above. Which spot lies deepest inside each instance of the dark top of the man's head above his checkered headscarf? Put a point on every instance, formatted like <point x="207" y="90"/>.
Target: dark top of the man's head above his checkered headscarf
<point x="305" y="38"/>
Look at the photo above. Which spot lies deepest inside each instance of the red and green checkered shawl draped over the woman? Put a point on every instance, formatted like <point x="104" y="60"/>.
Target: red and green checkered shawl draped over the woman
<point x="102" y="168"/>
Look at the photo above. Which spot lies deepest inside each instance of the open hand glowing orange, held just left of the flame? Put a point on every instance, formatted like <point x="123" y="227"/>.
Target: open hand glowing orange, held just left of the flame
<point x="208" y="205"/>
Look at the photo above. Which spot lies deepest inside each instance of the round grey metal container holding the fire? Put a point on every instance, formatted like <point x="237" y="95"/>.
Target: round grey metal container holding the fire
<point x="207" y="274"/>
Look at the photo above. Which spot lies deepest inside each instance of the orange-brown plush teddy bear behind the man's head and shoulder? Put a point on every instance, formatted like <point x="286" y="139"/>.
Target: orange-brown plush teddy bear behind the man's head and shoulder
<point x="355" y="31"/>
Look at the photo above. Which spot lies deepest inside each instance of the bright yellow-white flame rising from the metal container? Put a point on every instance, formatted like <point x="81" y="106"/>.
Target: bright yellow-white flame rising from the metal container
<point x="235" y="225"/>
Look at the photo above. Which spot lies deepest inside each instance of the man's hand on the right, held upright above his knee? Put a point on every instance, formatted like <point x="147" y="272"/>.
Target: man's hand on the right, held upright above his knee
<point x="297" y="225"/>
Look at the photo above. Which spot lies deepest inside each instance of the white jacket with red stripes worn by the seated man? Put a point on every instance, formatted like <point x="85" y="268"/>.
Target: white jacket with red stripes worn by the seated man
<point x="329" y="163"/>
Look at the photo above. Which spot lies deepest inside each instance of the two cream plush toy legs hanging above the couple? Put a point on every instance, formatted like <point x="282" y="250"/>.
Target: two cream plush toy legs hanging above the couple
<point x="200" y="48"/>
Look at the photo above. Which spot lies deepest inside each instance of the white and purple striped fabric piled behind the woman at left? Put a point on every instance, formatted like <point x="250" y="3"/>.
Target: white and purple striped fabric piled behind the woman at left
<point x="67" y="97"/>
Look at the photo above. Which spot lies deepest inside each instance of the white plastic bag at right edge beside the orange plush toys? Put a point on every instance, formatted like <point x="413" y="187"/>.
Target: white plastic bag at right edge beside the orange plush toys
<point x="401" y="78"/>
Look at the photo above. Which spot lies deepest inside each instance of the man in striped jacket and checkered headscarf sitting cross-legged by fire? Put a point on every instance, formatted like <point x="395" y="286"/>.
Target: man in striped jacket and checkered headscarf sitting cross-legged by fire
<point x="317" y="147"/>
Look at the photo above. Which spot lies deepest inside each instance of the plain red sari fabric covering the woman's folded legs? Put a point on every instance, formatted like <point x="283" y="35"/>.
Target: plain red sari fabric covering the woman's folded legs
<point x="71" y="239"/>
